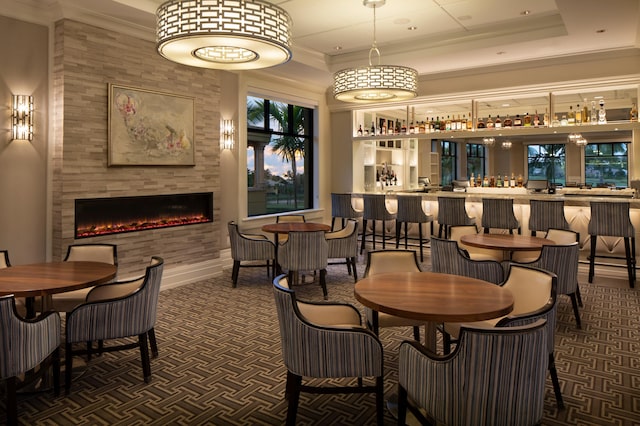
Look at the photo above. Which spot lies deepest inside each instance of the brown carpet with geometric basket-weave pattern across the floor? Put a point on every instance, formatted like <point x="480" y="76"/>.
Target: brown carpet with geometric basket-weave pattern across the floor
<point x="220" y="363"/>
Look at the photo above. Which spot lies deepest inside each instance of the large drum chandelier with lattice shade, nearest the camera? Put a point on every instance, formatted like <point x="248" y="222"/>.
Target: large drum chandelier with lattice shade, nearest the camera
<point x="224" y="34"/>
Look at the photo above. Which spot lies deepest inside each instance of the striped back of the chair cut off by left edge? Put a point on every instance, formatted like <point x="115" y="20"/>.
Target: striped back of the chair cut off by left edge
<point x="24" y="344"/>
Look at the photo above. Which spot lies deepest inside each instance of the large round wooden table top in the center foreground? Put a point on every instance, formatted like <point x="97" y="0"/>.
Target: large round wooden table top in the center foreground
<point x="430" y="296"/>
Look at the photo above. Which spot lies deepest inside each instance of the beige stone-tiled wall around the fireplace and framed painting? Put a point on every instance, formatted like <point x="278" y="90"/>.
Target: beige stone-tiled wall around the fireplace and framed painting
<point x="86" y="60"/>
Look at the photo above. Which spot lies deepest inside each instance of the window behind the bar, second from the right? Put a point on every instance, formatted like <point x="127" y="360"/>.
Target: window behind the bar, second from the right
<point x="547" y="162"/>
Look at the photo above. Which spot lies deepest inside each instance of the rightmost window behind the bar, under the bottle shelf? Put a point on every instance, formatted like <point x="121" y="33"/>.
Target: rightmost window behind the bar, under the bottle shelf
<point x="606" y="164"/>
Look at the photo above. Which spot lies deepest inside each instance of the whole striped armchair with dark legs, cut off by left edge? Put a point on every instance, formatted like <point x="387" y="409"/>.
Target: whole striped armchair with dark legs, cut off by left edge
<point x="24" y="345"/>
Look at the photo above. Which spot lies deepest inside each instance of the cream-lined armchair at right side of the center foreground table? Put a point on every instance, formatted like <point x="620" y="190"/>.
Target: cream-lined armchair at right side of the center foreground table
<point x="534" y="293"/>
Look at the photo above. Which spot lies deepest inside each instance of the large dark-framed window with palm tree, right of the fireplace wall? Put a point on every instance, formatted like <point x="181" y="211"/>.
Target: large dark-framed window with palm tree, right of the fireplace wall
<point x="279" y="157"/>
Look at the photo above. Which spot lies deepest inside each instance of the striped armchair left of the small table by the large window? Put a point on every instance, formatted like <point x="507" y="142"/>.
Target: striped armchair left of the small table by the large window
<point x="250" y="248"/>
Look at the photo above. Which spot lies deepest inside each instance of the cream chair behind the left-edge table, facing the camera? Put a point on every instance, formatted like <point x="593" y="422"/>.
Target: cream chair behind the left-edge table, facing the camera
<point x="105" y="253"/>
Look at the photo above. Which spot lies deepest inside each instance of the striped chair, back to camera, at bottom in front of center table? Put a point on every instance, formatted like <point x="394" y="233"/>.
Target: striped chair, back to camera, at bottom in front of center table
<point x="495" y="377"/>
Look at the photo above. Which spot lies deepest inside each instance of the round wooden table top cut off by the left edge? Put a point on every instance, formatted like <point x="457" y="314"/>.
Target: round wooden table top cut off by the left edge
<point x="43" y="279"/>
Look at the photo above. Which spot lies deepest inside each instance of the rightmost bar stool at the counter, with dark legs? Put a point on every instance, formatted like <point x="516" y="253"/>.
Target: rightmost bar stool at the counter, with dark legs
<point x="611" y="219"/>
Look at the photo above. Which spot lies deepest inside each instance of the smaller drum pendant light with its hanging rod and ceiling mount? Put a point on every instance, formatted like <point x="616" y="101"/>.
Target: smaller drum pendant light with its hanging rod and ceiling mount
<point x="375" y="83"/>
